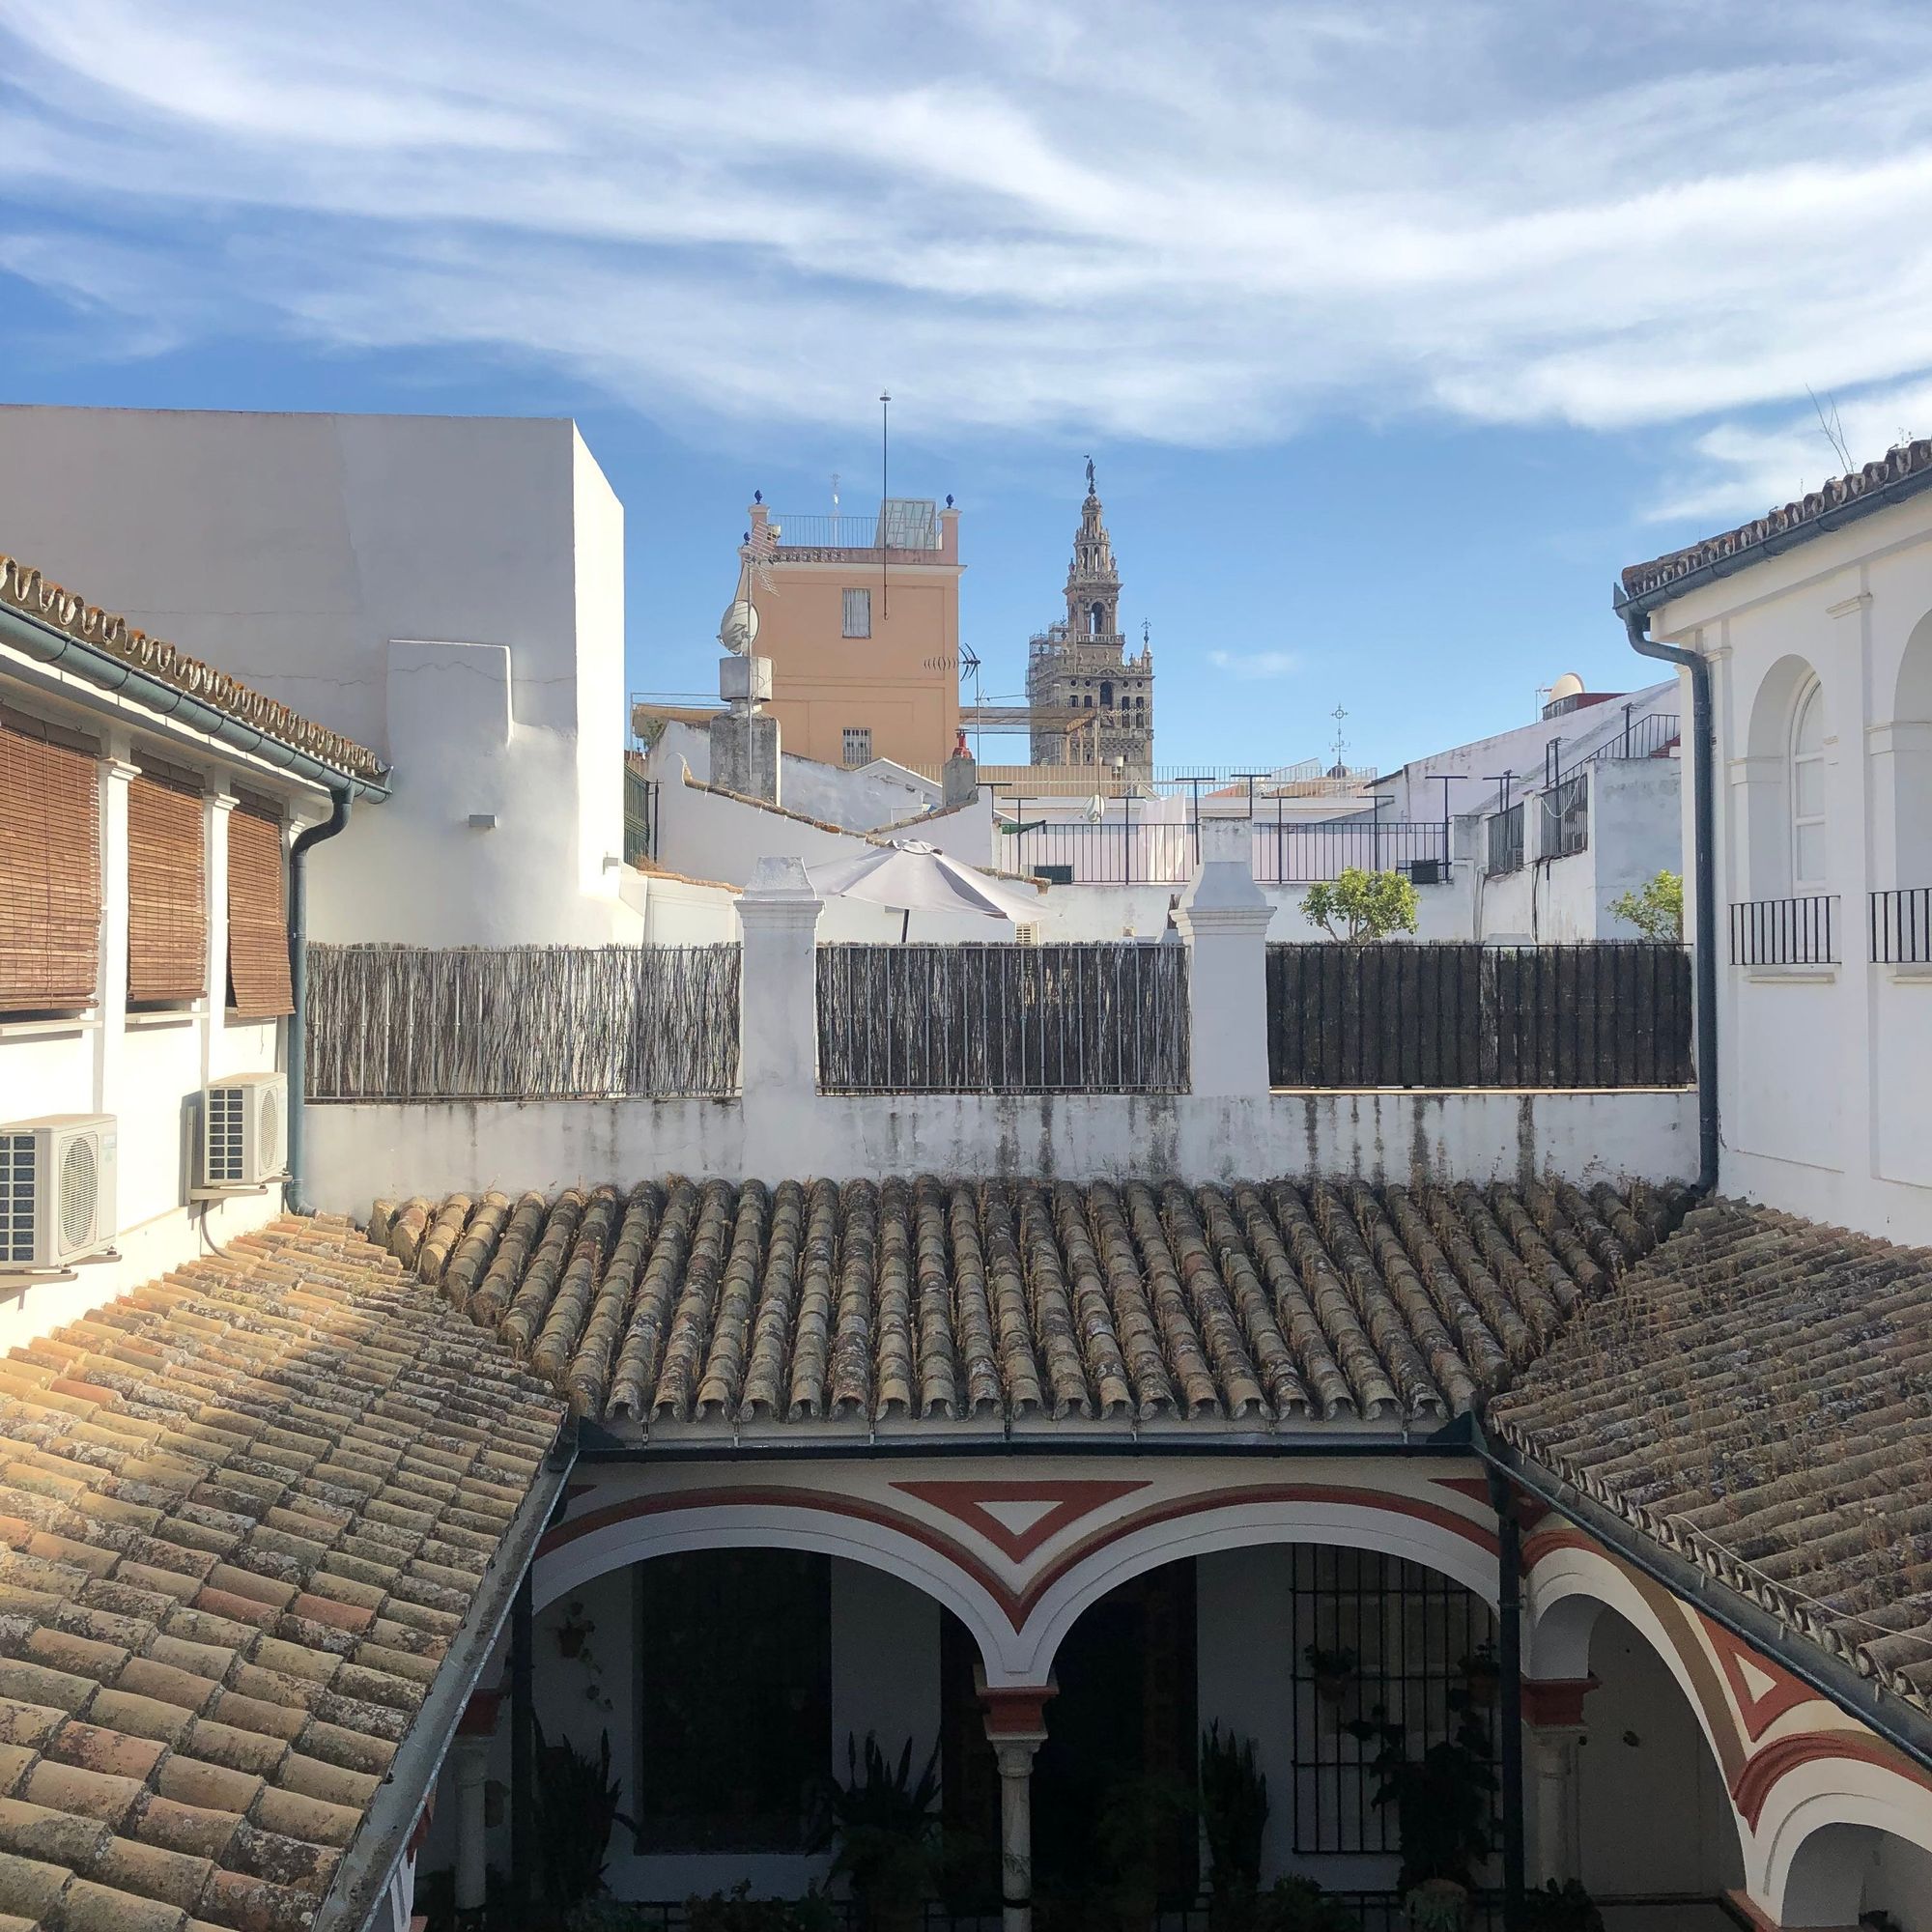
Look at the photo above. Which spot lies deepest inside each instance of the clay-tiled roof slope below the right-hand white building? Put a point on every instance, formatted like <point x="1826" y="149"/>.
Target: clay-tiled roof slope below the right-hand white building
<point x="1759" y="1400"/>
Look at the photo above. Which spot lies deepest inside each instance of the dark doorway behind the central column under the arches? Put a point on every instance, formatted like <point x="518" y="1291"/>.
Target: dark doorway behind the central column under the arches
<point x="1118" y="1769"/>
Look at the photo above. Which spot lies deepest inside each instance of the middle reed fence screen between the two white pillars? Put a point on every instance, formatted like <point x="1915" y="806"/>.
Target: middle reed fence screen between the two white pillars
<point x="1004" y="1019"/>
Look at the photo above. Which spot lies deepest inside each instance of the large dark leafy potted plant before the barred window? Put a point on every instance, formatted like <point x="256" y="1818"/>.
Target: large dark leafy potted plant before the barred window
<point x="1444" y="1804"/>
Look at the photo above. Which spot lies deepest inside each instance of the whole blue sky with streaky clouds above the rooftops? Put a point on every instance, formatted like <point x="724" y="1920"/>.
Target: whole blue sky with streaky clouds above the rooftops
<point x="1396" y="329"/>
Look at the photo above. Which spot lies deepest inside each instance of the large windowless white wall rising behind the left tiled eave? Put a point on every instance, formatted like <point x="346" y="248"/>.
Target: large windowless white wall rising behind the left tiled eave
<point x="443" y="590"/>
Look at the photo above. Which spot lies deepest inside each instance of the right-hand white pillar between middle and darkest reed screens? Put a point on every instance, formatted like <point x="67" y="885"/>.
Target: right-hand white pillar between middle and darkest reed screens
<point x="1224" y="919"/>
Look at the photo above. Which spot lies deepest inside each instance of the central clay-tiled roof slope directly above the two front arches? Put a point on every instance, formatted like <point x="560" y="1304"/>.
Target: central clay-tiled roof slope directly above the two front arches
<point x="919" y="1301"/>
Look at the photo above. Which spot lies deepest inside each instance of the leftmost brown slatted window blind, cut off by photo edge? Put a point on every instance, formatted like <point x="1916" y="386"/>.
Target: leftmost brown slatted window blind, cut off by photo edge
<point x="49" y="868"/>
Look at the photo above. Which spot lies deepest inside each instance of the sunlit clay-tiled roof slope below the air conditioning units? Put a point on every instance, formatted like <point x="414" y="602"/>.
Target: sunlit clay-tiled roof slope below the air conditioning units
<point x="242" y="1516"/>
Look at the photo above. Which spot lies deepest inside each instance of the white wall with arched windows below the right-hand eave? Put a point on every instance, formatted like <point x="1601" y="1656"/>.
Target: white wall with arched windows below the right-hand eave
<point x="1825" y="1065"/>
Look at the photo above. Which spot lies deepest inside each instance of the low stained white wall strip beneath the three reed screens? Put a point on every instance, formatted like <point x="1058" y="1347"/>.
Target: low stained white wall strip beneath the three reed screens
<point x="368" y="1152"/>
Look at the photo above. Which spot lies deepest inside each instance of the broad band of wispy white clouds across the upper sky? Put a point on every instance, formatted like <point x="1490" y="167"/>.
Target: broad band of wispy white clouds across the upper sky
<point x="1230" y="221"/>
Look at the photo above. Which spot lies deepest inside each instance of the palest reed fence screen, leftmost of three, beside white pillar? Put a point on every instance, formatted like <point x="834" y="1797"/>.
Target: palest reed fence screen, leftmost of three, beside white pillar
<point x="523" y="1023"/>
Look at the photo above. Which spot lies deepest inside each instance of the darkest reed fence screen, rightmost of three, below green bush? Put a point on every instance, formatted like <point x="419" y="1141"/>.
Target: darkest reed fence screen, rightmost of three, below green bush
<point x="1458" y="1015"/>
